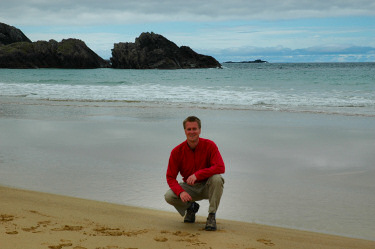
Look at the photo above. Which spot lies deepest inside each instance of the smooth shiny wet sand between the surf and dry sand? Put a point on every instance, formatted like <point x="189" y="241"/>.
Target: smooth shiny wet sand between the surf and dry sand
<point x="304" y="171"/>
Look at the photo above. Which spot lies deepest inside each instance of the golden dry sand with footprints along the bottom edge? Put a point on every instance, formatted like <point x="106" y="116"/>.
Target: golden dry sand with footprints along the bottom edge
<point x="37" y="220"/>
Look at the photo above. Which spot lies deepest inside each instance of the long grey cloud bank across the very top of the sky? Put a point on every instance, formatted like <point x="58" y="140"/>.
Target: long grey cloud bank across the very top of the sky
<point x="93" y="12"/>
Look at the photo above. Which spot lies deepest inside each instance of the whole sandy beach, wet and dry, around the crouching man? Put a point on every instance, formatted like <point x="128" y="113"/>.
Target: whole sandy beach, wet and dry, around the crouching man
<point x="307" y="172"/>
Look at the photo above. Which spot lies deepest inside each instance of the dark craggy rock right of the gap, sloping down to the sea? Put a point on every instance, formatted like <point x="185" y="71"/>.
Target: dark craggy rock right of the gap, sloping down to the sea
<point x="153" y="51"/>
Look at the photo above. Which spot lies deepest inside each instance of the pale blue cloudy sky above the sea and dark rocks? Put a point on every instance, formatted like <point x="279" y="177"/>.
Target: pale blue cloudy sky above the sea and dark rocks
<point x="231" y="30"/>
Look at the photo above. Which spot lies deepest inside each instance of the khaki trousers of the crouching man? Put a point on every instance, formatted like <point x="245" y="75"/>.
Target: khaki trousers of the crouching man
<point x="211" y="189"/>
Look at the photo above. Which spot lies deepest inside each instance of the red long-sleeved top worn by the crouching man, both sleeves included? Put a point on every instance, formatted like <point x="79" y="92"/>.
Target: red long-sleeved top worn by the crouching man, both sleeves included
<point x="205" y="161"/>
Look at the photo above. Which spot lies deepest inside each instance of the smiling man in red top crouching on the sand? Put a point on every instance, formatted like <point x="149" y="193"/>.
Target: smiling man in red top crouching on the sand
<point x="199" y="162"/>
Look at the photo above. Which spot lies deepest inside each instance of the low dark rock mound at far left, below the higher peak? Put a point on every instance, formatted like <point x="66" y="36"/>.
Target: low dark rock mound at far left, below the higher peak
<point x="69" y="53"/>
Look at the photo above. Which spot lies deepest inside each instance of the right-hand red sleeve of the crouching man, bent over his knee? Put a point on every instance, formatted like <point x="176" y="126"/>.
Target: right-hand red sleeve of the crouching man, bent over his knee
<point x="216" y="164"/>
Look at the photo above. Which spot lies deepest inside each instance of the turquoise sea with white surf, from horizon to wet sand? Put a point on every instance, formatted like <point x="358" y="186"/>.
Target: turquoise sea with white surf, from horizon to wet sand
<point x="343" y="88"/>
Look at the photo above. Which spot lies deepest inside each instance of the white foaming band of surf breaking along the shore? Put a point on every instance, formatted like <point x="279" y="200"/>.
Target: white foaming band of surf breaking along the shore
<point x="184" y="94"/>
